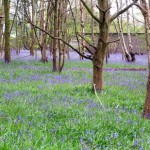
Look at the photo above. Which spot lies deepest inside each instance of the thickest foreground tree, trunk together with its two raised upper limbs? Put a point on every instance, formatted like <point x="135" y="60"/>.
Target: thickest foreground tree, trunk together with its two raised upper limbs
<point x="104" y="22"/>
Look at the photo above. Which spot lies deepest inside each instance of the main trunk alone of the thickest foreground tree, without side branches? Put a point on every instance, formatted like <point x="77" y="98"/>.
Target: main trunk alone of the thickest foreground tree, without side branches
<point x="99" y="54"/>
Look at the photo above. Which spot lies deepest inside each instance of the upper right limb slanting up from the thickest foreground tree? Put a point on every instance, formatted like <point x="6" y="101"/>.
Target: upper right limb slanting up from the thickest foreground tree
<point x="122" y="11"/>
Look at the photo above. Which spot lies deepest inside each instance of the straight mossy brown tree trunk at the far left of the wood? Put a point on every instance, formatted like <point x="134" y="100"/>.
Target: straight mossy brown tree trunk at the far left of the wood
<point x="7" y="31"/>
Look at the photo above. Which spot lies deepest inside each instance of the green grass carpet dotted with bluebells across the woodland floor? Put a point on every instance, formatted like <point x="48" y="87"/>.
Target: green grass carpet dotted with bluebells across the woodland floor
<point x="40" y="109"/>
